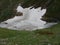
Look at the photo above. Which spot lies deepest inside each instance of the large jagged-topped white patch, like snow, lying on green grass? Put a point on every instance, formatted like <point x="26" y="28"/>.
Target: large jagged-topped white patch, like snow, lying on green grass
<point x="31" y="20"/>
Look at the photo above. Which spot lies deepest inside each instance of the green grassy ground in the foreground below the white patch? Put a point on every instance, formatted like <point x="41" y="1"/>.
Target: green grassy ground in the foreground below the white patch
<point x="13" y="37"/>
